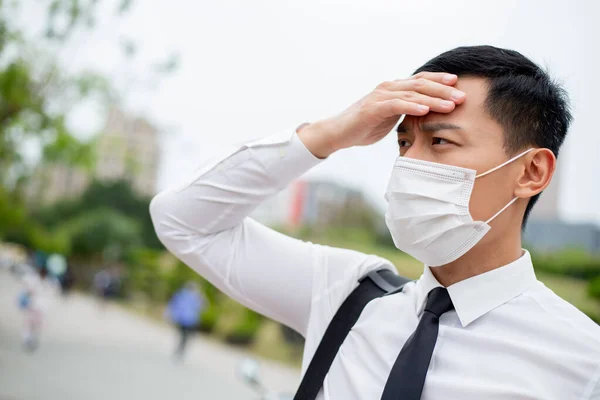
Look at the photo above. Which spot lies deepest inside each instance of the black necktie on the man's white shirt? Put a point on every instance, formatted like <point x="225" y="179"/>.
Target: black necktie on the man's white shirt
<point x="408" y="373"/>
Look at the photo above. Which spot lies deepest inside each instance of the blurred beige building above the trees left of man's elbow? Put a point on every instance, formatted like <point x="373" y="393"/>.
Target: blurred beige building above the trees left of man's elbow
<point x="126" y="149"/>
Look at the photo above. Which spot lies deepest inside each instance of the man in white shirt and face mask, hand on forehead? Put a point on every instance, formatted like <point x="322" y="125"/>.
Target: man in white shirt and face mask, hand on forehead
<point x="478" y="145"/>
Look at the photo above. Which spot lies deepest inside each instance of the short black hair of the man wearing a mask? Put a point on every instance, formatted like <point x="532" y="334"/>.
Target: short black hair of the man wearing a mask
<point x="531" y="108"/>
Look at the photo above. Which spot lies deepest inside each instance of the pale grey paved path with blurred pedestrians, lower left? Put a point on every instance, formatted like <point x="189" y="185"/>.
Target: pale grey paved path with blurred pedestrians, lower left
<point x="86" y="354"/>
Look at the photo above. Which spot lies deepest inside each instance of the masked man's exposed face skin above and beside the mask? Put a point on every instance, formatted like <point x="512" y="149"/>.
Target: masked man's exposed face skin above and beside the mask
<point x="467" y="137"/>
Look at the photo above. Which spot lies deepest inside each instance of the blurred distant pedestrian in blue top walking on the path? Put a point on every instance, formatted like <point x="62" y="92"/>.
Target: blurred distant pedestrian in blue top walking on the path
<point x="184" y="311"/>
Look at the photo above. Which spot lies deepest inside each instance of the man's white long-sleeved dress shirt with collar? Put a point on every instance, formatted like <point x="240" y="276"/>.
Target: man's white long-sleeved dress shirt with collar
<point x="509" y="337"/>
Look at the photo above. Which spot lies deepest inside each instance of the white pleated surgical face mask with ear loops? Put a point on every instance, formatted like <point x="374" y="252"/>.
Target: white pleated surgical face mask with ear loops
<point x="428" y="210"/>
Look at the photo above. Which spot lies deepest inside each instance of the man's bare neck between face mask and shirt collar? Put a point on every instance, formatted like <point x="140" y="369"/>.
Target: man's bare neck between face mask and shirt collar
<point x="482" y="258"/>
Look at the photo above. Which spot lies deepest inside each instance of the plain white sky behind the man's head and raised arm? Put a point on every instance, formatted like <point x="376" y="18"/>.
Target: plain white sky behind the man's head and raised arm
<point x="252" y="68"/>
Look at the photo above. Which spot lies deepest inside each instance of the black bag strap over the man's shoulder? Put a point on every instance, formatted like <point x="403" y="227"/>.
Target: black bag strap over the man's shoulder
<point x="375" y="284"/>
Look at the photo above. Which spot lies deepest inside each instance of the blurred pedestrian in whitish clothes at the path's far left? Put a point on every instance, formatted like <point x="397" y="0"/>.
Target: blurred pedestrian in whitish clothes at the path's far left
<point x="39" y="289"/>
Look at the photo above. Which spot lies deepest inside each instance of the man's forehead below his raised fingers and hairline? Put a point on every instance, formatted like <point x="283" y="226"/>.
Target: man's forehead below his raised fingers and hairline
<point x="471" y="115"/>
